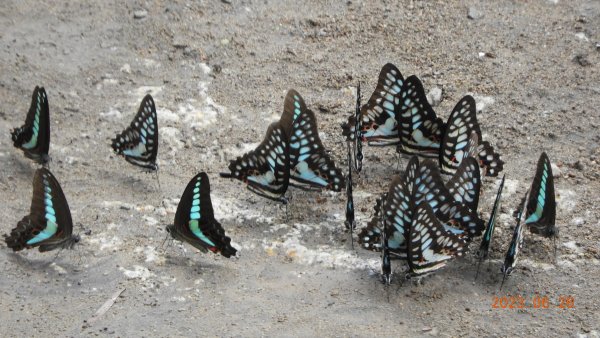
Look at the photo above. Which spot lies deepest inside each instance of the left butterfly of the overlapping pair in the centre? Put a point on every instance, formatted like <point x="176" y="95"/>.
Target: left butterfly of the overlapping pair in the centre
<point x="266" y="168"/>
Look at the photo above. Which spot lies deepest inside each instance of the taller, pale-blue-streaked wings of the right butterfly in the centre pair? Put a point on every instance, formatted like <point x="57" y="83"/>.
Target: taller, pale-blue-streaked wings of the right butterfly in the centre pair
<point x="310" y="165"/>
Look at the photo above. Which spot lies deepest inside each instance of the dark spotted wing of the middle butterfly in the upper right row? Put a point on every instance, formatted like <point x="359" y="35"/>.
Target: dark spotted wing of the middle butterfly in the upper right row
<point x="420" y="130"/>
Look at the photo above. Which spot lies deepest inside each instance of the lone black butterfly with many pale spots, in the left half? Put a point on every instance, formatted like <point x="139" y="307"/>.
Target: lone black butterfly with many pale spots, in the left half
<point x="138" y="143"/>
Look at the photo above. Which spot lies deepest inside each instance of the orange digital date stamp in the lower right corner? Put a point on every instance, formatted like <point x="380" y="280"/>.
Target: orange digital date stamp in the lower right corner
<point x="533" y="302"/>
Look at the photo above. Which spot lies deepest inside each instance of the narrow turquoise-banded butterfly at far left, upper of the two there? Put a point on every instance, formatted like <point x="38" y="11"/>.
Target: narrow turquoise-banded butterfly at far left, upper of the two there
<point x="34" y="136"/>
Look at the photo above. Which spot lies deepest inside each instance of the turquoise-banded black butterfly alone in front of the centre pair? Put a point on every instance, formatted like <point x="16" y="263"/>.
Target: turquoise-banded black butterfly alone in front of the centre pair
<point x="195" y="222"/>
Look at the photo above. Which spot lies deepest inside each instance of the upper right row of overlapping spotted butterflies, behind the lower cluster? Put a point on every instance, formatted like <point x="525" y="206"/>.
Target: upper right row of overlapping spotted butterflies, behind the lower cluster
<point x="398" y="113"/>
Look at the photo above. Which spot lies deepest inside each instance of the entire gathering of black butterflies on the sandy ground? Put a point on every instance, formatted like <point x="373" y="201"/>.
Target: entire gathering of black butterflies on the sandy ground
<point x="420" y="219"/>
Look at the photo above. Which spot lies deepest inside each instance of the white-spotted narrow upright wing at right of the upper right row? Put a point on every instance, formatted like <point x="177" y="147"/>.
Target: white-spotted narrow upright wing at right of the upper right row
<point x="455" y="144"/>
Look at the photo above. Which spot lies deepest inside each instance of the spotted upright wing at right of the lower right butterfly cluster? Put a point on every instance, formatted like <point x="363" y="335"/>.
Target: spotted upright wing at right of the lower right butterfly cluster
<point x="465" y="184"/>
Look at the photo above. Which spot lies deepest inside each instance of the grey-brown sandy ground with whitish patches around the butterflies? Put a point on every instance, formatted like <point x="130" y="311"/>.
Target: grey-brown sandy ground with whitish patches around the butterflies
<point x="219" y="71"/>
